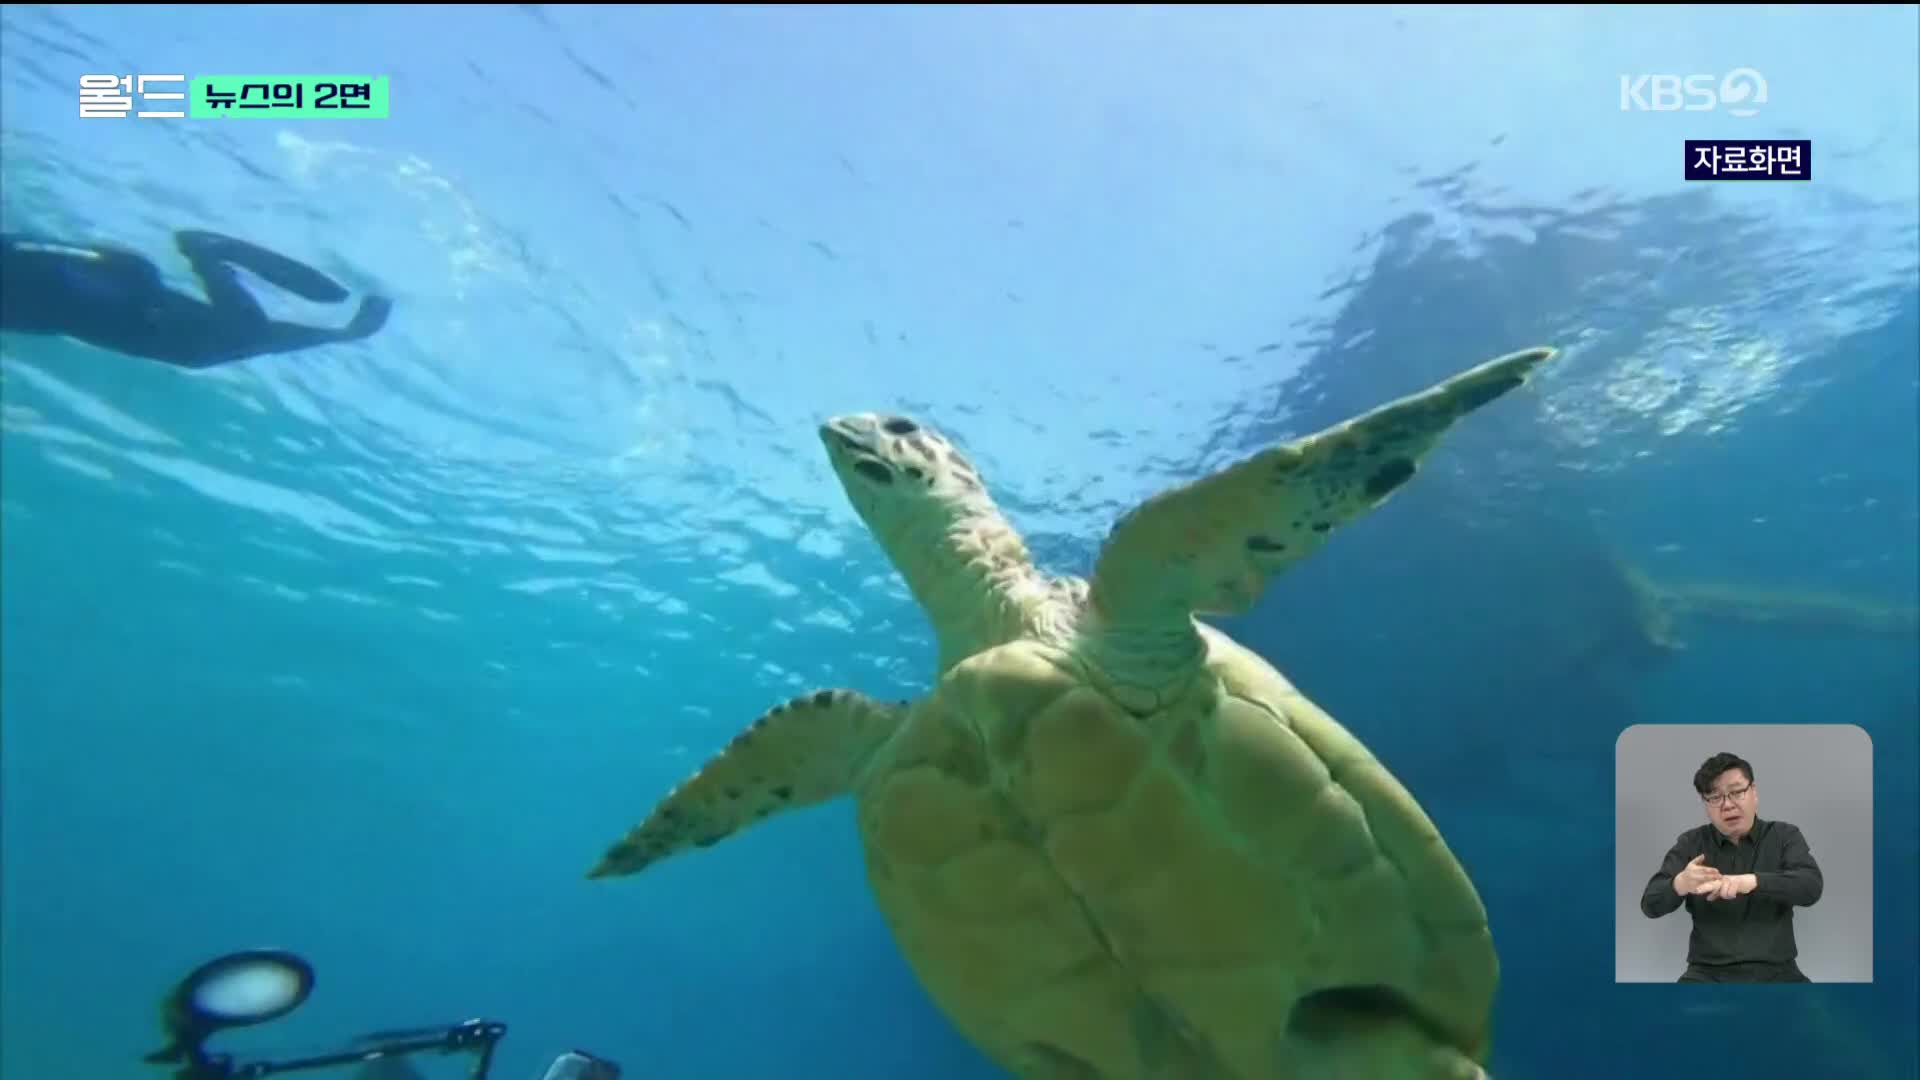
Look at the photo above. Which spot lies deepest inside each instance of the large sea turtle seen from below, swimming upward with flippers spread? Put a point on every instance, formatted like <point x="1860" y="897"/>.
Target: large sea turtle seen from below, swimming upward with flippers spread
<point x="1113" y="843"/>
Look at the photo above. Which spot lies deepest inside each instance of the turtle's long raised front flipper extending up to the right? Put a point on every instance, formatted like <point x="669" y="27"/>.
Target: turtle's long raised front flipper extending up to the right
<point x="1214" y="545"/>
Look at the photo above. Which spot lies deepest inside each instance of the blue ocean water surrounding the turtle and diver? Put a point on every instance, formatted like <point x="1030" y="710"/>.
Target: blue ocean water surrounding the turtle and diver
<point x="372" y="650"/>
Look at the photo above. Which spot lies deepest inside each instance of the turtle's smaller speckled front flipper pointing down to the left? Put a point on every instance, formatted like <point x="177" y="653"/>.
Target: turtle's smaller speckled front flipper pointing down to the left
<point x="804" y="752"/>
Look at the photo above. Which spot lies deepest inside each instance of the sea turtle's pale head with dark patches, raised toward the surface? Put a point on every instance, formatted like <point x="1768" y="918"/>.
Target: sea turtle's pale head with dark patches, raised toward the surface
<point x="901" y="476"/>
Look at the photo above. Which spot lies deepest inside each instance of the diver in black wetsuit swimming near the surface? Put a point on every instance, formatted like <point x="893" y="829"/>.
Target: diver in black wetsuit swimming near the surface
<point x="116" y="301"/>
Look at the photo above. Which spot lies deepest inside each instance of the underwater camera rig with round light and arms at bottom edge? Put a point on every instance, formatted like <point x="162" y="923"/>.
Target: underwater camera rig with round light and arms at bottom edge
<point x="264" y="985"/>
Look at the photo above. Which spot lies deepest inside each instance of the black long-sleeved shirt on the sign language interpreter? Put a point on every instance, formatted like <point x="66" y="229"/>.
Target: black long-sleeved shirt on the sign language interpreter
<point x="1750" y="929"/>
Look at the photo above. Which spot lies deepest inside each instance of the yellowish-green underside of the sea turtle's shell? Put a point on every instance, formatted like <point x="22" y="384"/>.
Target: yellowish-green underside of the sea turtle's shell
<point x="1092" y="893"/>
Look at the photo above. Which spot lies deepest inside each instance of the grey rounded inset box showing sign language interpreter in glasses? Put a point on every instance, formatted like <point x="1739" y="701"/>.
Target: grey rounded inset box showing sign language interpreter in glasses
<point x="1744" y="854"/>
